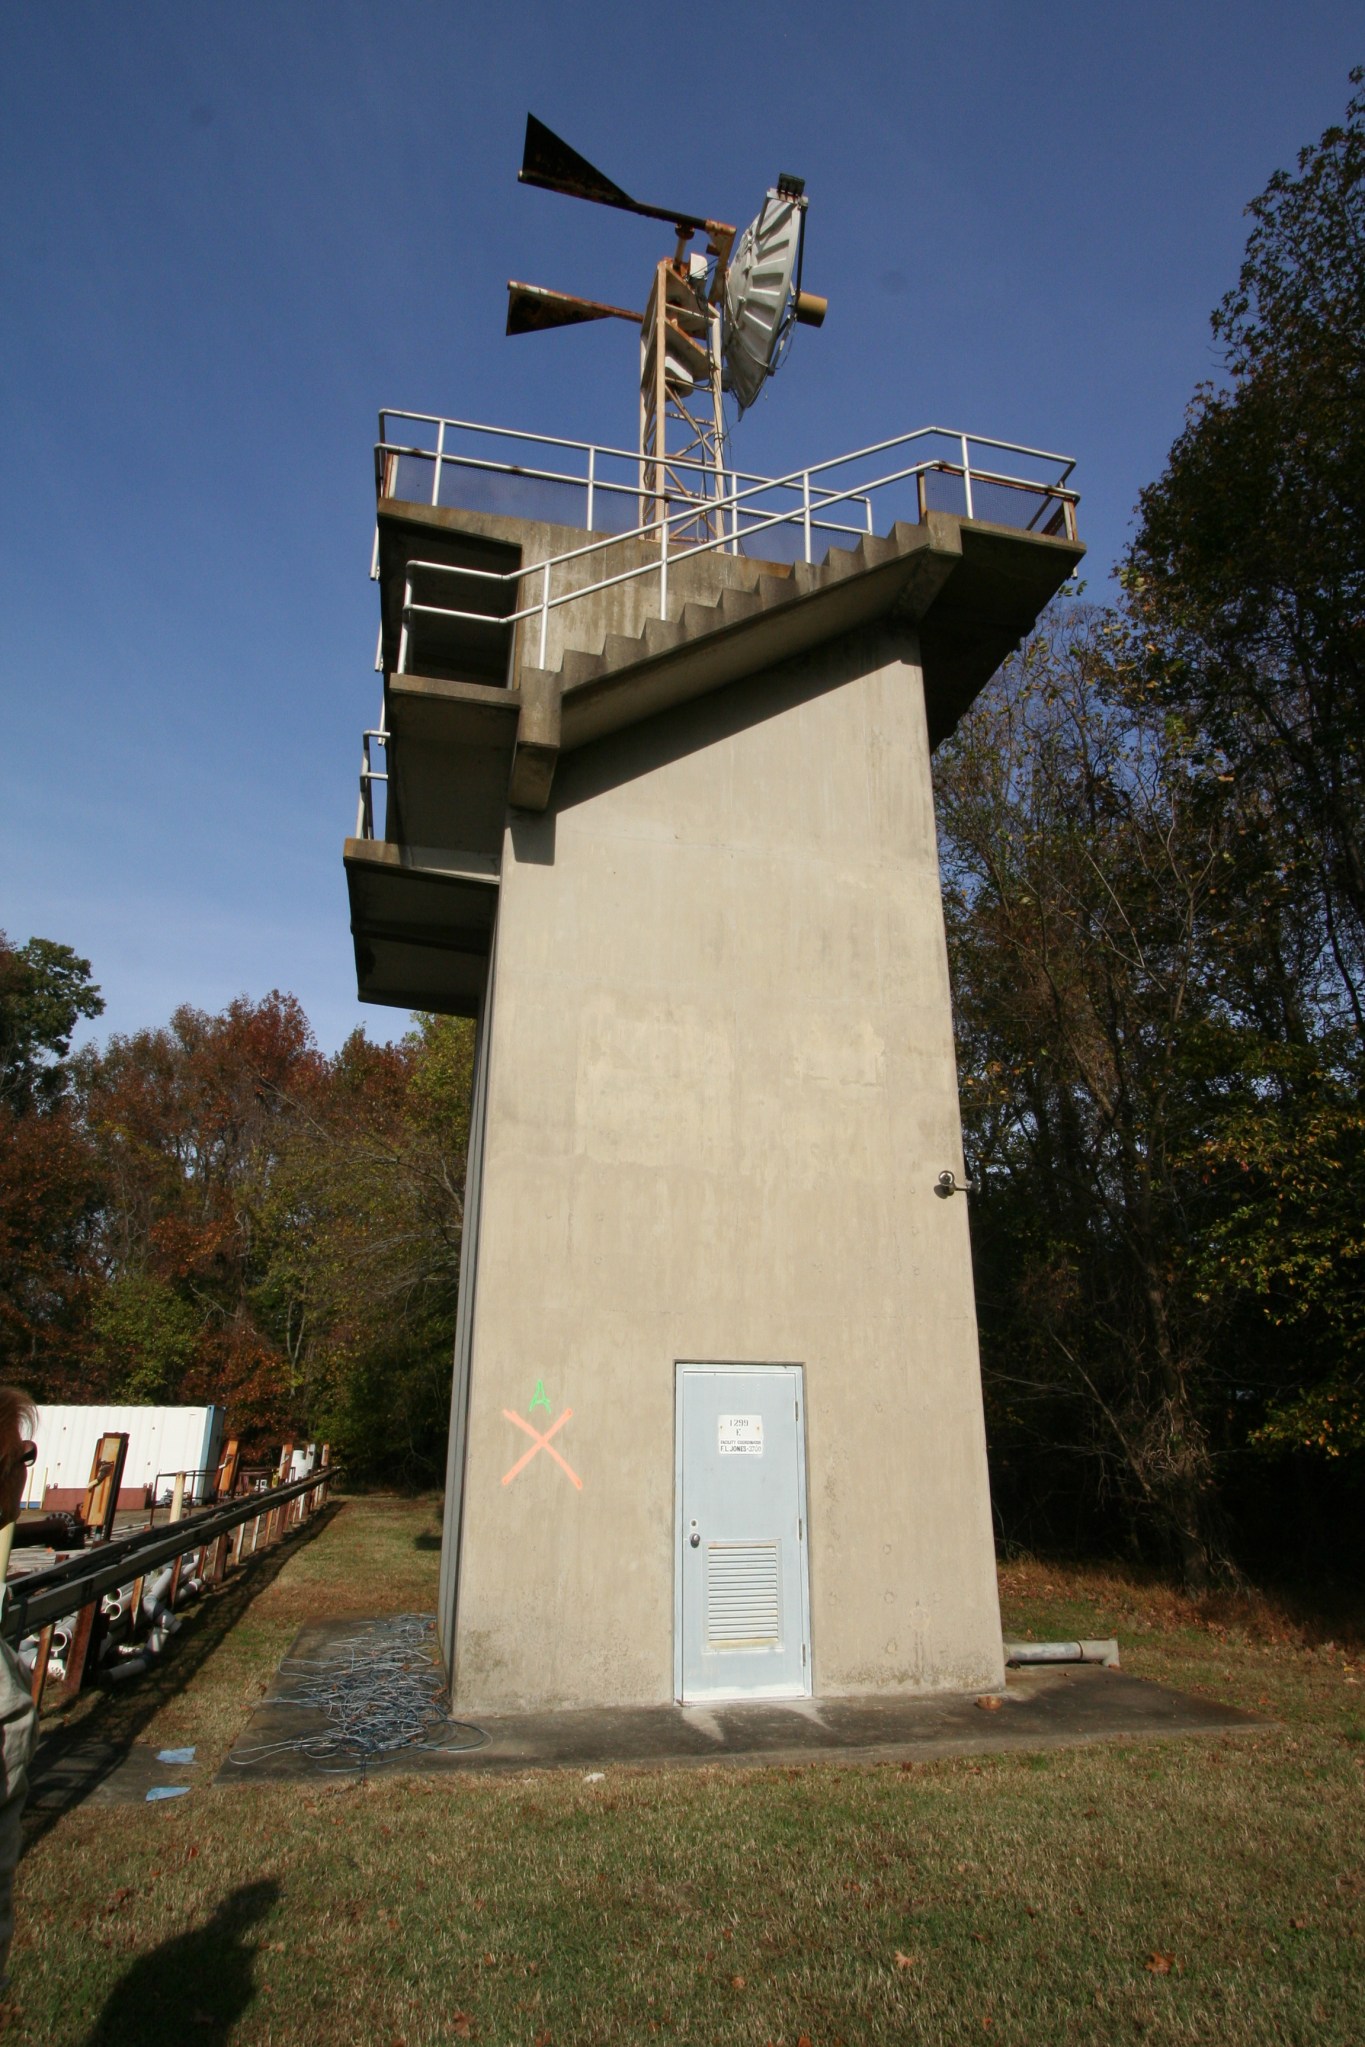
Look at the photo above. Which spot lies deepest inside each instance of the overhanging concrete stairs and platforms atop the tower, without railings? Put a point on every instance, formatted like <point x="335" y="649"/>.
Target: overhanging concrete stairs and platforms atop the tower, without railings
<point x="484" y="732"/>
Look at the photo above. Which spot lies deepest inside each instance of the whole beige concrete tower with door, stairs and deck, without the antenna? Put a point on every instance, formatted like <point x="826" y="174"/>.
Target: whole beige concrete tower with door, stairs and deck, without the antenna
<point x="664" y="826"/>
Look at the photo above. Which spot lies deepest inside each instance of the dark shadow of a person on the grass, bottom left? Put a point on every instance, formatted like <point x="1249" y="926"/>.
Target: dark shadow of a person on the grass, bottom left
<point x="195" y="1987"/>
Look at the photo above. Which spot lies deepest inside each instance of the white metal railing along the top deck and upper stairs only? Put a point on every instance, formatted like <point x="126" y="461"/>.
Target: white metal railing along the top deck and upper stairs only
<point x="740" y="511"/>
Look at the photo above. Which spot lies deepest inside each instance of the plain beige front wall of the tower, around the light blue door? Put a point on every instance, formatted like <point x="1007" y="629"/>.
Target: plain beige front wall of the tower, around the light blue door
<point x="721" y="1090"/>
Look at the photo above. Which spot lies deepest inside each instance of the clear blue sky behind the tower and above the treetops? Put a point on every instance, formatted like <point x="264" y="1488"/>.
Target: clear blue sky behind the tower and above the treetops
<point x="232" y="232"/>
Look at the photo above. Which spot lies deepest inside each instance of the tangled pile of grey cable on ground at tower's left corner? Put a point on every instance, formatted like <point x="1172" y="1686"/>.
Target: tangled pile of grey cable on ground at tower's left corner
<point x="380" y="1692"/>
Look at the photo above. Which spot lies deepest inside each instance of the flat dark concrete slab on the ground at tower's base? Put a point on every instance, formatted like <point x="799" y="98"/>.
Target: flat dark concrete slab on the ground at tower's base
<point x="1045" y="1708"/>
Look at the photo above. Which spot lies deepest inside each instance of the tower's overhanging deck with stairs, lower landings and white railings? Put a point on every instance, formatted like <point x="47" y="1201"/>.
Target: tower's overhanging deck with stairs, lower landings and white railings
<point x="535" y="603"/>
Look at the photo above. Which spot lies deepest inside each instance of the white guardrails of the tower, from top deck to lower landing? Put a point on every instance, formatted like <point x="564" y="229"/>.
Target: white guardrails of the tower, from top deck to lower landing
<point x="685" y="509"/>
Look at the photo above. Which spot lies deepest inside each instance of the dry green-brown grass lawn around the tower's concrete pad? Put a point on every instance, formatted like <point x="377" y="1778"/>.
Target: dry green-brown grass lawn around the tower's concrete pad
<point x="1204" y="1890"/>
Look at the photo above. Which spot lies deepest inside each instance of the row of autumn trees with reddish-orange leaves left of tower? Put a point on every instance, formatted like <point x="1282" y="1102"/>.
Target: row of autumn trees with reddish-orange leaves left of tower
<point x="218" y="1213"/>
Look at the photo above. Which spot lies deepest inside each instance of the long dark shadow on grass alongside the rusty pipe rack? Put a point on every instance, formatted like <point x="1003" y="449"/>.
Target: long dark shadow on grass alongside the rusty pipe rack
<point x="79" y="1753"/>
